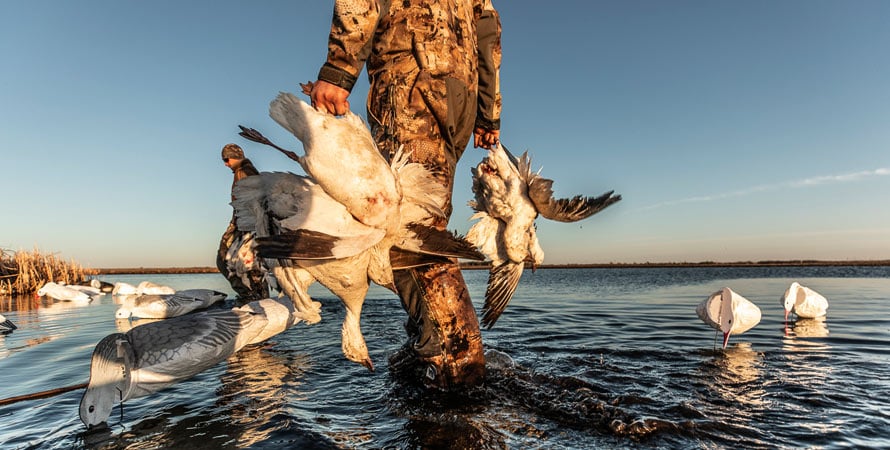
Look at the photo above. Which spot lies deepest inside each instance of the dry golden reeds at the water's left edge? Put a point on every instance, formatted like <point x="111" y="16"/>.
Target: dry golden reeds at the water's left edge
<point x="25" y="272"/>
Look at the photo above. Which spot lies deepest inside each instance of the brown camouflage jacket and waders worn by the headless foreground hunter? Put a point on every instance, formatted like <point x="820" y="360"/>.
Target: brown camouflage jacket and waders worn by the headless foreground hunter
<point x="433" y="69"/>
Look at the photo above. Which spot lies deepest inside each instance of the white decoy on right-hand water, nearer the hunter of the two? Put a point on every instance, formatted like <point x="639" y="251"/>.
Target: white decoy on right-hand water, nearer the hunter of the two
<point x="728" y="312"/>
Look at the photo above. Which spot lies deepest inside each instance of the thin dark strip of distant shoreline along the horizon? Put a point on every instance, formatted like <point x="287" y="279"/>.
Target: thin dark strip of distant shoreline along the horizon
<point x="478" y="266"/>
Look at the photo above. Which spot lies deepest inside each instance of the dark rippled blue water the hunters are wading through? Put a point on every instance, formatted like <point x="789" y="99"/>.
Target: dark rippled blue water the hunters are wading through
<point x="604" y="358"/>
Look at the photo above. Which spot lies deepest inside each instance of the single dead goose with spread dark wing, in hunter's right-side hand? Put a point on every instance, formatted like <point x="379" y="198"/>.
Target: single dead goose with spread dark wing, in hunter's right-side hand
<point x="508" y="199"/>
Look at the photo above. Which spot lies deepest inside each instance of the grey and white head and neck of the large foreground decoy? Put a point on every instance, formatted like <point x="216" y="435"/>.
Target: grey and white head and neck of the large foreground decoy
<point x="109" y="379"/>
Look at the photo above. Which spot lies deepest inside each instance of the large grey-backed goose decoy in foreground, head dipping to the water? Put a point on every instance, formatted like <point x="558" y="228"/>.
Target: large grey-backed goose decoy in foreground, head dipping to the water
<point x="150" y="357"/>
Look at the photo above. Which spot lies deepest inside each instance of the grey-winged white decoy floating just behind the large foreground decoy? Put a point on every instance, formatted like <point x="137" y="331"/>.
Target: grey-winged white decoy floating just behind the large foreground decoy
<point x="182" y="302"/>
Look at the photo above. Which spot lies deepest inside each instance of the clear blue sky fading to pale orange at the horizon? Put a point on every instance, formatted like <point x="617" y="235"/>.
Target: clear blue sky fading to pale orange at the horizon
<point x="734" y="131"/>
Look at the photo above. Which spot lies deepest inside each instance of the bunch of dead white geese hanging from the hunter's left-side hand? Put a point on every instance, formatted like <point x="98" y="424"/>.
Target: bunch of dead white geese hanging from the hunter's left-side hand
<point x="339" y="226"/>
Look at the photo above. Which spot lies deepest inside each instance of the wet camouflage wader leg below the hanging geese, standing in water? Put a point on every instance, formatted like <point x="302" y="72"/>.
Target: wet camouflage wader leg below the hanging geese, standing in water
<point x="442" y="326"/>
